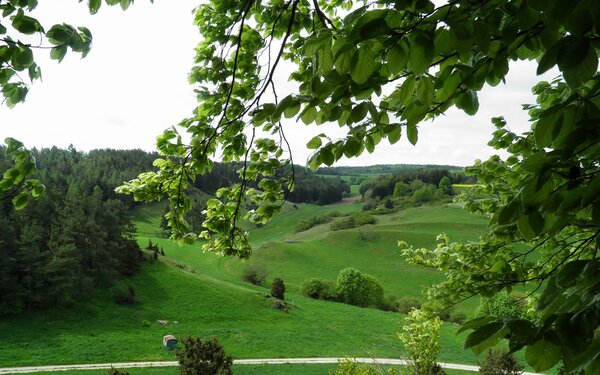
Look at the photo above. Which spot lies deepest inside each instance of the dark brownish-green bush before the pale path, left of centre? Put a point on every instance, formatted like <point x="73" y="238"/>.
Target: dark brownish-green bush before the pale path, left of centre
<point x="205" y="357"/>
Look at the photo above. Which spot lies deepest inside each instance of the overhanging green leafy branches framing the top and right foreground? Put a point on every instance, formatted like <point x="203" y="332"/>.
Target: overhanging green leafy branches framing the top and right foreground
<point x="379" y="69"/>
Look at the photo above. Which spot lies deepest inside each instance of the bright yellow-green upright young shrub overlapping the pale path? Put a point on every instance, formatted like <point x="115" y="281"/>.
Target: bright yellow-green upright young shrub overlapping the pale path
<point x="420" y="336"/>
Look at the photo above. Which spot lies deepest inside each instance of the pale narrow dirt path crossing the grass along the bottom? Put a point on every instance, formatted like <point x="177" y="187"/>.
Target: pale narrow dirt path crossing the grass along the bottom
<point x="270" y="361"/>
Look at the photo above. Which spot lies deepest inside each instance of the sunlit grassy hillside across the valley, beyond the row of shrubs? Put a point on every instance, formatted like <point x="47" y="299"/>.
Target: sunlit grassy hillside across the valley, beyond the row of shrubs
<point x="321" y="253"/>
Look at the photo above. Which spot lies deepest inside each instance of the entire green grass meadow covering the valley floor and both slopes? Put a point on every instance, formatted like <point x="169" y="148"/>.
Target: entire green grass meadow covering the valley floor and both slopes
<point x="205" y="296"/>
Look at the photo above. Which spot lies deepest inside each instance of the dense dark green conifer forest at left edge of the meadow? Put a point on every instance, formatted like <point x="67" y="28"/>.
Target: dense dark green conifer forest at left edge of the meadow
<point x="76" y="237"/>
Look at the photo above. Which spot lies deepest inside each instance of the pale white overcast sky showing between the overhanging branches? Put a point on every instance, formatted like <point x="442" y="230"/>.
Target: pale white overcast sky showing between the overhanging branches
<point x="133" y="85"/>
